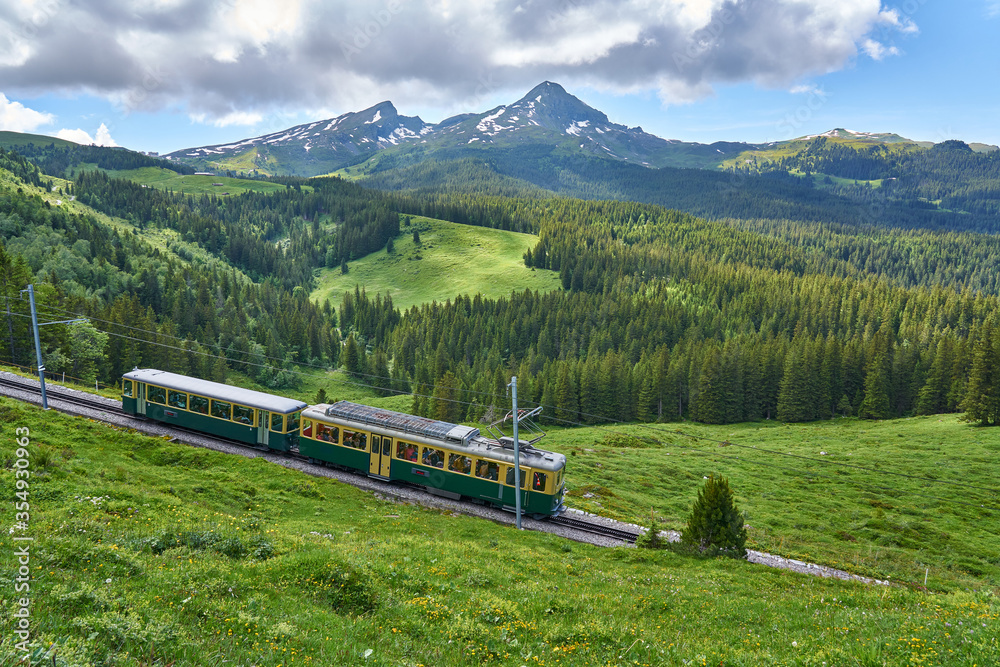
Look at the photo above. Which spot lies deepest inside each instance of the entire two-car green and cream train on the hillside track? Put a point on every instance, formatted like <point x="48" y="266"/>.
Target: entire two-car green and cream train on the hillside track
<point x="449" y="460"/>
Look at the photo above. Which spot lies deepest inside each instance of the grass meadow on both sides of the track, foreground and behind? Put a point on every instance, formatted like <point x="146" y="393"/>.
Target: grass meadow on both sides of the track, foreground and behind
<point x="148" y="552"/>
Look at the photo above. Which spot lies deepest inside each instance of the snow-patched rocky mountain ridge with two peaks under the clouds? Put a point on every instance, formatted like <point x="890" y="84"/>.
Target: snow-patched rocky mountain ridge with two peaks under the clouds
<point x="547" y="115"/>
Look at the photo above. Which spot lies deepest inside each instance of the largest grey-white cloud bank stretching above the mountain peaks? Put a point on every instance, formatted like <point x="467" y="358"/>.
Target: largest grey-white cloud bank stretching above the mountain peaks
<point x="227" y="63"/>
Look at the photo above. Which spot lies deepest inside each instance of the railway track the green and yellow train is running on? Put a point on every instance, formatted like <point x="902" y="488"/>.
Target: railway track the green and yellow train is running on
<point x="76" y="399"/>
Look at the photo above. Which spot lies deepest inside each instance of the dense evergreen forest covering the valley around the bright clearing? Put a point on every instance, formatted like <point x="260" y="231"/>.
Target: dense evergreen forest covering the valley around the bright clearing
<point x="785" y="300"/>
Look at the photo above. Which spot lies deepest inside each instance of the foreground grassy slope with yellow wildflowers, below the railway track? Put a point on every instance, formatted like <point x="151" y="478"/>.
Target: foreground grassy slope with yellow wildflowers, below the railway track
<point x="149" y="552"/>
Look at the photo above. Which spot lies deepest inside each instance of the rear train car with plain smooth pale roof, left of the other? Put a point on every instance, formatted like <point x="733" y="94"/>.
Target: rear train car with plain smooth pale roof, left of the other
<point x="253" y="417"/>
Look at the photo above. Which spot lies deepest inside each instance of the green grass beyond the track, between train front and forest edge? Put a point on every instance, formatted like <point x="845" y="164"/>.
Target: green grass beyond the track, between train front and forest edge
<point x="896" y="499"/>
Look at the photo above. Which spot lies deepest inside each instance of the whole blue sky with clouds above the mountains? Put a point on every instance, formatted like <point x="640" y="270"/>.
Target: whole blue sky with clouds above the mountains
<point x="162" y="75"/>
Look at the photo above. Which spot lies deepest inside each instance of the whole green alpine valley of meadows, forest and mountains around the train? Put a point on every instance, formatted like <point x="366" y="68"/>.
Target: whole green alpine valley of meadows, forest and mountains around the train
<point x="816" y="321"/>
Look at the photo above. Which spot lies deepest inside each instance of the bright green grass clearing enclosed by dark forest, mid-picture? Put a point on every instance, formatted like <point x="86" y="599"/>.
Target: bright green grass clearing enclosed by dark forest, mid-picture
<point x="452" y="259"/>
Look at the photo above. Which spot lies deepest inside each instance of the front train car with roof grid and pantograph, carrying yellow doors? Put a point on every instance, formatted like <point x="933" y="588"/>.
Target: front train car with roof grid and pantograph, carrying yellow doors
<point x="448" y="459"/>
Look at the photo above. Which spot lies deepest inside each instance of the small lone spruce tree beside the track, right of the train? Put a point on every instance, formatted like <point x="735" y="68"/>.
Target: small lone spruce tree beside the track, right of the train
<point x="715" y="523"/>
